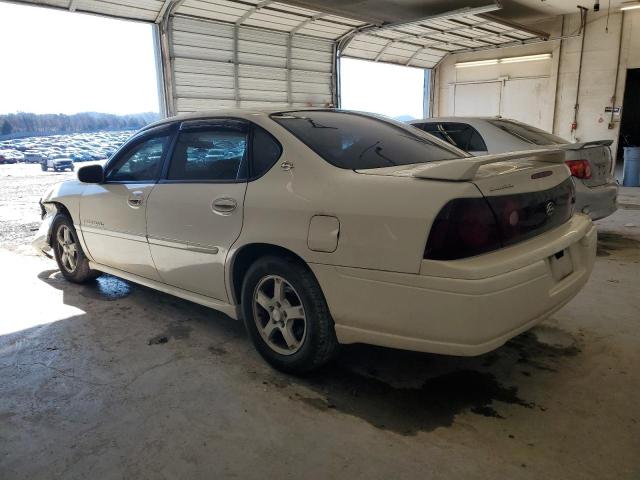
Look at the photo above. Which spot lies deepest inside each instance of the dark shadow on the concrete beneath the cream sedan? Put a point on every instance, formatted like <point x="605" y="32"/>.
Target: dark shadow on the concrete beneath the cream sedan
<point x="405" y="392"/>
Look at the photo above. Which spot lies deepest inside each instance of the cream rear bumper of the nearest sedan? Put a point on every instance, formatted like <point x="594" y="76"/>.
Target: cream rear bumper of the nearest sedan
<point x="462" y="307"/>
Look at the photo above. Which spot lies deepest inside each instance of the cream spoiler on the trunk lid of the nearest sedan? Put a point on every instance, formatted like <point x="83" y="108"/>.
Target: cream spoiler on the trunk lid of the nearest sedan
<point x="465" y="169"/>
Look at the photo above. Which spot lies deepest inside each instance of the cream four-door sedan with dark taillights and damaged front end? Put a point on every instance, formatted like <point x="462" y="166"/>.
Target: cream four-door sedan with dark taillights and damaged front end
<point x="322" y="227"/>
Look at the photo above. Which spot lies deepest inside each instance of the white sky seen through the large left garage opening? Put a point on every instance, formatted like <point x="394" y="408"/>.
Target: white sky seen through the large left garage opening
<point x="60" y="62"/>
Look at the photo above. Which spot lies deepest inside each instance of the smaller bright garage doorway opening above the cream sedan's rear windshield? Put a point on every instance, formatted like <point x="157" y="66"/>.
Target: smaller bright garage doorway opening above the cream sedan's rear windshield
<point x="393" y="90"/>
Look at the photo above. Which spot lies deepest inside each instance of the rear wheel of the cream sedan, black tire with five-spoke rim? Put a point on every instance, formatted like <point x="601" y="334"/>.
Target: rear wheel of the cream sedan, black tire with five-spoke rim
<point x="294" y="343"/>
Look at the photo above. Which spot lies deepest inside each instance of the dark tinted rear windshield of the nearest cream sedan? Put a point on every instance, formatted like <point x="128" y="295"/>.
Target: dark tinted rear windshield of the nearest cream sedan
<point x="358" y="141"/>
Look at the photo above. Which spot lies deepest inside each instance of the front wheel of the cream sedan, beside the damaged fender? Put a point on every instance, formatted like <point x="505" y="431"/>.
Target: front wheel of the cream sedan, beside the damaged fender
<point x="73" y="263"/>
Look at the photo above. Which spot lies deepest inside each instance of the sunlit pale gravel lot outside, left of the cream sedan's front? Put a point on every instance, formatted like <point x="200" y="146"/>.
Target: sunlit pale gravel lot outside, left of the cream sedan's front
<point x="21" y="186"/>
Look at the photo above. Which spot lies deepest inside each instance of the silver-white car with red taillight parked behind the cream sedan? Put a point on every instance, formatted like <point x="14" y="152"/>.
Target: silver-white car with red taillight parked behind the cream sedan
<point x="590" y="162"/>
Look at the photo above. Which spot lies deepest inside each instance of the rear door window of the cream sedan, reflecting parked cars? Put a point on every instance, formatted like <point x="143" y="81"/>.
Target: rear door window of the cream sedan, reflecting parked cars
<point x="214" y="154"/>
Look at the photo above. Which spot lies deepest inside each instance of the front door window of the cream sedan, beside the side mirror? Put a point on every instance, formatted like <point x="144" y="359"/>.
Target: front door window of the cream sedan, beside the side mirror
<point x="142" y="162"/>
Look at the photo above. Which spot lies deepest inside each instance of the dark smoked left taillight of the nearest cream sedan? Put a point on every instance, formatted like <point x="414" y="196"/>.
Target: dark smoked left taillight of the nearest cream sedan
<point x="464" y="227"/>
